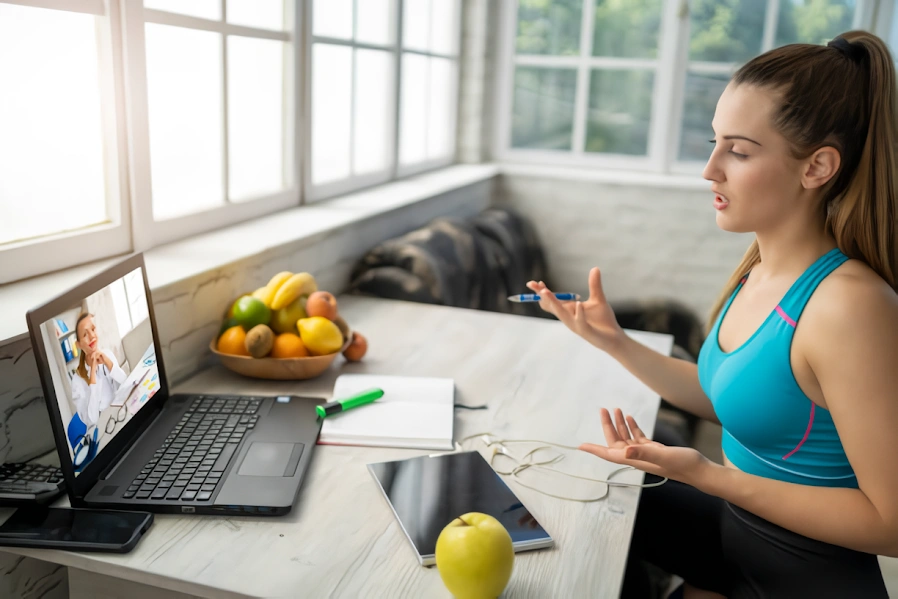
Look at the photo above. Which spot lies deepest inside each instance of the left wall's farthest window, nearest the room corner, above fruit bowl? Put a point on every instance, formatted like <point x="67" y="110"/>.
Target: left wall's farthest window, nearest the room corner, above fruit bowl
<point x="383" y="95"/>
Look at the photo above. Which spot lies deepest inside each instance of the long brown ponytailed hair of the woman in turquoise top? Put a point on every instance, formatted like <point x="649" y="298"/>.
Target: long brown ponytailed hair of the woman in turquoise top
<point x="843" y="96"/>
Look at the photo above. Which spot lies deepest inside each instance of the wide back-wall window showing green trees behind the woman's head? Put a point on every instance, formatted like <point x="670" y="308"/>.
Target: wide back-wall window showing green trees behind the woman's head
<point x="634" y="83"/>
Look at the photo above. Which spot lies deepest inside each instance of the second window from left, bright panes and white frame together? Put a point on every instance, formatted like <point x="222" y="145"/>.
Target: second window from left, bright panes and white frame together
<point x="212" y="117"/>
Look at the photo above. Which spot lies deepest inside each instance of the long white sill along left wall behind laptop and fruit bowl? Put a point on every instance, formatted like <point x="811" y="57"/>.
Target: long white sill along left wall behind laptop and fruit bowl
<point x="180" y="260"/>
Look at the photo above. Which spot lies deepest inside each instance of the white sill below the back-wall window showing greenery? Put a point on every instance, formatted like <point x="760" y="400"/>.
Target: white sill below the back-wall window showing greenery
<point x="606" y="175"/>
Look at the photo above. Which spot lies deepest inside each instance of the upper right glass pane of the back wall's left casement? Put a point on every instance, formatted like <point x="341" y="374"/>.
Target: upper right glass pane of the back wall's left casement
<point x="627" y="28"/>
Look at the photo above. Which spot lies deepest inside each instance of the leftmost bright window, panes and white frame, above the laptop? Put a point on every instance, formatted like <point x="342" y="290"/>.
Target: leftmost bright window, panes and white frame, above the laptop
<point x="61" y="174"/>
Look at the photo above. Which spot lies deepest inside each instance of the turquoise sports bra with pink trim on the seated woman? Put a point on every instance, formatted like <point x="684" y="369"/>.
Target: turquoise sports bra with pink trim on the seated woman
<point x="770" y="427"/>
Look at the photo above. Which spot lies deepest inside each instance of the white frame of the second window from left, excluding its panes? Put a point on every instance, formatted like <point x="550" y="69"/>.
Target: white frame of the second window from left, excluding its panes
<point x="151" y="233"/>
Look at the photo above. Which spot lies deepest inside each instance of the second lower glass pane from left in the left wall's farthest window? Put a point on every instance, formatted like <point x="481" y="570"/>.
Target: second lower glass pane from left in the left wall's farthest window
<point x="374" y="111"/>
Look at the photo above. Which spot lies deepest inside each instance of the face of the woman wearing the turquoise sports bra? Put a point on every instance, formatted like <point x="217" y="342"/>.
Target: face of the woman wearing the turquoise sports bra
<point x="754" y="177"/>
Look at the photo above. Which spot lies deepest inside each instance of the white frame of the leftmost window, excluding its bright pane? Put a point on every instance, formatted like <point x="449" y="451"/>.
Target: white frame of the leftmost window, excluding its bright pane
<point x="26" y="258"/>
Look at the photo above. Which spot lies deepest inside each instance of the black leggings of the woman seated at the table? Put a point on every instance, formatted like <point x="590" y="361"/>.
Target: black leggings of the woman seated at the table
<point x="716" y="546"/>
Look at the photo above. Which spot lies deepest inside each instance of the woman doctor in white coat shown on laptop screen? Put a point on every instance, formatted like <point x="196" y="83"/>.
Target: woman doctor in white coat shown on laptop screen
<point x="98" y="374"/>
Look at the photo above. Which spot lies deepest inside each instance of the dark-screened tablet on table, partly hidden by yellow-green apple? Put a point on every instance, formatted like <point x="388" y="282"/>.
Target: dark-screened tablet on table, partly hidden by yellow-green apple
<point x="428" y="492"/>
